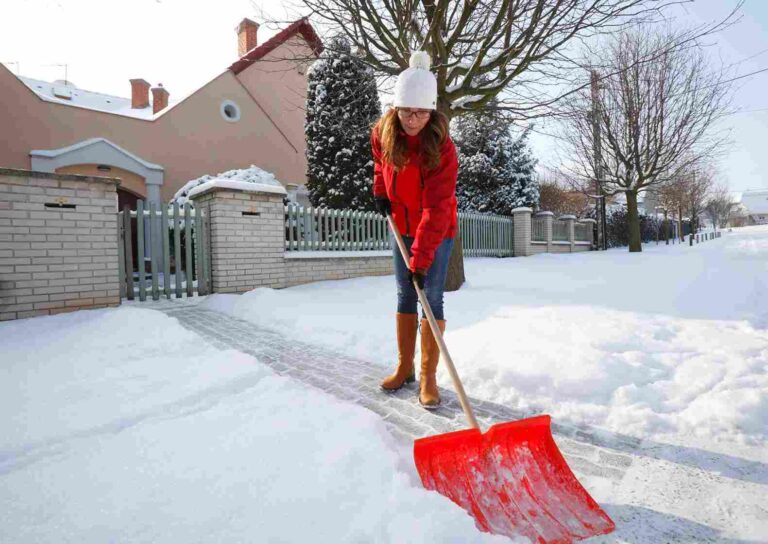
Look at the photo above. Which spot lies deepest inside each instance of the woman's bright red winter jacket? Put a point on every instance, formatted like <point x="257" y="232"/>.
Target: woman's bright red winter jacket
<point x="423" y="201"/>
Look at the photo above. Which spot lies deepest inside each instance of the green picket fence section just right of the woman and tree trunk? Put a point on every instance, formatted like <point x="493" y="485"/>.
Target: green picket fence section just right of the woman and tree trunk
<point x="486" y="235"/>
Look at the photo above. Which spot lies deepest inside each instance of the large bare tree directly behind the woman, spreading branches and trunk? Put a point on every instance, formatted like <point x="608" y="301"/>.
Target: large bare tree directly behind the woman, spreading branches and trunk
<point x="479" y="50"/>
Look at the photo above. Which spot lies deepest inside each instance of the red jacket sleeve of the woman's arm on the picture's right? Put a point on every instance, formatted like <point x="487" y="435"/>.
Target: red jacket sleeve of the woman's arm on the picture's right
<point x="437" y="201"/>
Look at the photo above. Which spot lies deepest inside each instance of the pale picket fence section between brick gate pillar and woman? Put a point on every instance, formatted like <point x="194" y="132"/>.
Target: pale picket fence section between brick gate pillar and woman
<point x="324" y="229"/>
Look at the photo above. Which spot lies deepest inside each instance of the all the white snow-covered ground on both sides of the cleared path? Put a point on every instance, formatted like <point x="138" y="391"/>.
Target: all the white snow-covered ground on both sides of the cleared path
<point x="121" y="426"/>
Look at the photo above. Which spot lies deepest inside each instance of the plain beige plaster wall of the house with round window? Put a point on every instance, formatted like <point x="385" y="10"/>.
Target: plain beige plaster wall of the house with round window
<point x="189" y="140"/>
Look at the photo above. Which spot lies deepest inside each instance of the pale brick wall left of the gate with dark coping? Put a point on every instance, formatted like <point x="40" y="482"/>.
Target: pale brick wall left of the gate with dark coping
<point x="58" y="243"/>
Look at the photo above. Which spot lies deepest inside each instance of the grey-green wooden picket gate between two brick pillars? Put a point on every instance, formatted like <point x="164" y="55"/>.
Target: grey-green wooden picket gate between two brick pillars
<point x="172" y="242"/>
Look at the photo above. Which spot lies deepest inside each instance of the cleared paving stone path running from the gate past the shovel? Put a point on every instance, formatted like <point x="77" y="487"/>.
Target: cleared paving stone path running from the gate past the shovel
<point x="632" y="467"/>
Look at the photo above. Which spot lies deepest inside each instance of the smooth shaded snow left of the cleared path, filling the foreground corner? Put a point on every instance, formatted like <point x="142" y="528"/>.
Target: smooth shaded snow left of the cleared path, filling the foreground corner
<point x="121" y="426"/>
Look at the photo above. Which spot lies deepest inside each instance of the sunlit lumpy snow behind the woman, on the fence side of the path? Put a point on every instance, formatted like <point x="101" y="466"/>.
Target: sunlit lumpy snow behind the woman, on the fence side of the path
<point x="669" y="344"/>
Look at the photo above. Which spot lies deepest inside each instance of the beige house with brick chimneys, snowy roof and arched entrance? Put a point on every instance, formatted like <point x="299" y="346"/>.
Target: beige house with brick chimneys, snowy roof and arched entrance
<point x="252" y="113"/>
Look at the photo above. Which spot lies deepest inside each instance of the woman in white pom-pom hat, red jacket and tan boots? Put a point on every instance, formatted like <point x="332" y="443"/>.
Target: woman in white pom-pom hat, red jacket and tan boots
<point x="414" y="179"/>
